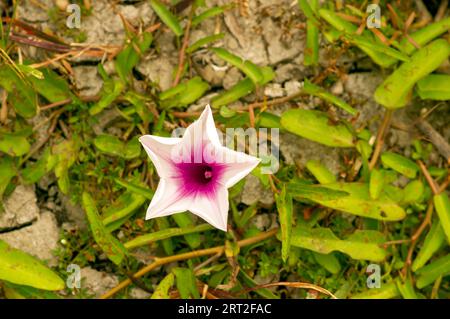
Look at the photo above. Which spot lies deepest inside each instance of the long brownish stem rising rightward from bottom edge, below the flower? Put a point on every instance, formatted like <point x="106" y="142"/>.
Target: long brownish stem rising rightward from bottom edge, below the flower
<point x="185" y="256"/>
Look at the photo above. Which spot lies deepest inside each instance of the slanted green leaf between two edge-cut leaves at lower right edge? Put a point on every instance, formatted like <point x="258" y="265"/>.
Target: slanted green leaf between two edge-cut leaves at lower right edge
<point x="433" y="242"/>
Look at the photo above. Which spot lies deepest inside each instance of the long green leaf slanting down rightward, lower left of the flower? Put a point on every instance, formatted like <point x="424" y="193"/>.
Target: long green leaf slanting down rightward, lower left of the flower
<point x="110" y="245"/>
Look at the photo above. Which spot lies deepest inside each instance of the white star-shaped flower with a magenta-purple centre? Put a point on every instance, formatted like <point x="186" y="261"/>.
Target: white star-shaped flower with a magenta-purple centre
<point x="195" y="172"/>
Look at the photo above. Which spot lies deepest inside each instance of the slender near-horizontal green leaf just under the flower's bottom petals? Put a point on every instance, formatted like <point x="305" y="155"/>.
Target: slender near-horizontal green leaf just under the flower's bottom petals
<point x="164" y="234"/>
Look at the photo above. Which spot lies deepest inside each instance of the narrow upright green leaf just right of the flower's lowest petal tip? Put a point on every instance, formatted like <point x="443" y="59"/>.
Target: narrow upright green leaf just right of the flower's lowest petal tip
<point x="285" y="215"/>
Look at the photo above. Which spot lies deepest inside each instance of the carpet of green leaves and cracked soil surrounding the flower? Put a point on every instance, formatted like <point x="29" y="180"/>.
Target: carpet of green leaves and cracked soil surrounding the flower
<point x="349" y="104"/>
